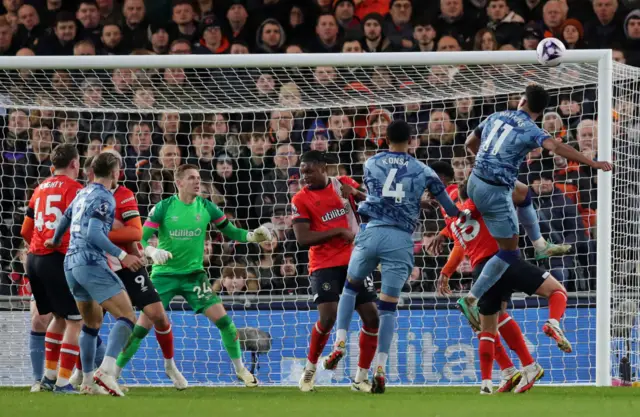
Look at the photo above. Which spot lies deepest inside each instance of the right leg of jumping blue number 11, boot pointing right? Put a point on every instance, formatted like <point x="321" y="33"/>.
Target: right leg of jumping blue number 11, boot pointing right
<point x="528" y="218"/>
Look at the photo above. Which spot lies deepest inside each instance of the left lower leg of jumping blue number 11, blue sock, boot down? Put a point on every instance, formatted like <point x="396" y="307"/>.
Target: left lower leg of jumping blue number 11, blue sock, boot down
<point x="491" y="273"/>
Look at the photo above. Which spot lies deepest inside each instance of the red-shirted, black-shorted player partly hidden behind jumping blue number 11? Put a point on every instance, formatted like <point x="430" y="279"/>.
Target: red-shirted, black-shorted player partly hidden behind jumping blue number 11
<point x="472" y="235"/>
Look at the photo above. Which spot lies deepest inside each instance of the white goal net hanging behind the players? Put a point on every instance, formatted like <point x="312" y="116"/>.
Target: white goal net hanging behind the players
<point x="246" y="128"/>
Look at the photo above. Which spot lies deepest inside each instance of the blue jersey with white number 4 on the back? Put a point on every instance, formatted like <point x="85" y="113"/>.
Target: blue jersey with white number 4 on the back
<point x="395" y="184"/>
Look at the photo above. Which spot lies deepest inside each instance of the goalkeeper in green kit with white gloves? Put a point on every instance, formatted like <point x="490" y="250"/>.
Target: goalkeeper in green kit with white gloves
<point x="181" y="223"/>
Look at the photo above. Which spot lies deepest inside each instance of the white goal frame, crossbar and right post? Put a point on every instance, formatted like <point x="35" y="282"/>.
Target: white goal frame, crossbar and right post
<point x="603" y="58"/>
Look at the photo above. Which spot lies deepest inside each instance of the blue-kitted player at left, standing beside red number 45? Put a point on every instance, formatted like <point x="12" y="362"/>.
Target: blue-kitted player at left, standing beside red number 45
<point x="90" y="279"/>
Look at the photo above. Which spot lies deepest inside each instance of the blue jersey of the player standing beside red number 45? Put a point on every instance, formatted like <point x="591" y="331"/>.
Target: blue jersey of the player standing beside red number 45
<point x="93" y="201"/>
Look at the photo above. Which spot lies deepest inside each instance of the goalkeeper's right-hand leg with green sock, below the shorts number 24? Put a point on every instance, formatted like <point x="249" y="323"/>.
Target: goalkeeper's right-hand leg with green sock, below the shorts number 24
<point x="218" y="315"/>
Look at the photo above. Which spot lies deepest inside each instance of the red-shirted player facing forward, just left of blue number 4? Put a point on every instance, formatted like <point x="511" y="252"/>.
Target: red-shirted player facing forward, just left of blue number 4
<point x="324" y="219"/>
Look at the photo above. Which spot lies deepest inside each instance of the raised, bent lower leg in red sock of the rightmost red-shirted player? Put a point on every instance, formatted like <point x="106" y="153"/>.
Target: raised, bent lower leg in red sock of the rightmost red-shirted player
<point x="557" y="296"/>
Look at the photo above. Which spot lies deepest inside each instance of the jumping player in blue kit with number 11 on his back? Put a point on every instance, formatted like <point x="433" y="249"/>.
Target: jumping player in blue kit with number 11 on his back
<point x="500" y="143"/>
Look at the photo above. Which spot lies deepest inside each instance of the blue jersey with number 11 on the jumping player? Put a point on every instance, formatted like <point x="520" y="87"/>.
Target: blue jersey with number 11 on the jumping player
<point x="507" y="137"/>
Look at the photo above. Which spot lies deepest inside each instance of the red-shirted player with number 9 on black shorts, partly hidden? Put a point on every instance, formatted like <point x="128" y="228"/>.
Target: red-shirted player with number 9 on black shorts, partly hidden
<point x="126" y="233"/>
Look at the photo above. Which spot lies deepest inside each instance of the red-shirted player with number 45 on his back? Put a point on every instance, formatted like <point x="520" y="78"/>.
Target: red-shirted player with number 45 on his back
<point x="45" y="267"/>
